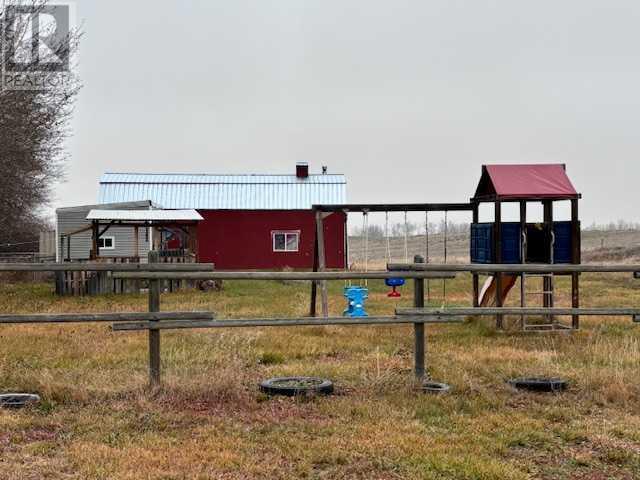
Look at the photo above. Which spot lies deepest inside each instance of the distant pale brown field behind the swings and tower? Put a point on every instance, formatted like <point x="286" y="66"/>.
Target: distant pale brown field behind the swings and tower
<point x="596" y="246"/>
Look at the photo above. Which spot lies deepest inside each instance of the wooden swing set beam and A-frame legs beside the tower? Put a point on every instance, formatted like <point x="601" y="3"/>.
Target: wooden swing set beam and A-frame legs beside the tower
<point x="323" y="211"/>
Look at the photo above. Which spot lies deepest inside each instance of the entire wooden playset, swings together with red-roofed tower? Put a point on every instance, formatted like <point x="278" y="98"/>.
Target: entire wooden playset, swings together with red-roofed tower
<point x="494" y="242"/>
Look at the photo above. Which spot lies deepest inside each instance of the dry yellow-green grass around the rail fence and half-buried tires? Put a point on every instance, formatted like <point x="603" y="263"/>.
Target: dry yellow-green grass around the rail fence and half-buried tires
<point x="99" y="421"/>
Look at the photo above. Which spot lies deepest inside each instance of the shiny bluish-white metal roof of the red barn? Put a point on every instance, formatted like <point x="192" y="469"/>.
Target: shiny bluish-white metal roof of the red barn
<point x="224" y="192"/>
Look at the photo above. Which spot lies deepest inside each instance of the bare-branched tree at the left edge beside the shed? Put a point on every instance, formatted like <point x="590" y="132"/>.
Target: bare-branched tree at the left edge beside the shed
<point x="34" y="124"/>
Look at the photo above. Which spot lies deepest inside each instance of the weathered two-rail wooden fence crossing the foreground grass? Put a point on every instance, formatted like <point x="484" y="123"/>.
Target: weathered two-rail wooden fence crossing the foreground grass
<point x="154" y="320"/>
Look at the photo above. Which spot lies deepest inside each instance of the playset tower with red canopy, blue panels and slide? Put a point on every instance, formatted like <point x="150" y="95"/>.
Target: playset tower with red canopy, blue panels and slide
<point x="522" y="242"/>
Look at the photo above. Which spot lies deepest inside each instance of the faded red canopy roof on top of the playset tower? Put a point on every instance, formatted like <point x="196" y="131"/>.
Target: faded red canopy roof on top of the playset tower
<point x="525" y="182"/>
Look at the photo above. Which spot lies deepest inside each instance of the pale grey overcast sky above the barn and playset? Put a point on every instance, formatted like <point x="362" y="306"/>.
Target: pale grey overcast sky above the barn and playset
<point x="407" y="98"/>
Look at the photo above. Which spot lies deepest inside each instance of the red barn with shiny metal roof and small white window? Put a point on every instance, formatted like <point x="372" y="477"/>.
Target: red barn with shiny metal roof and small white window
<point x="250" y="221"/>
